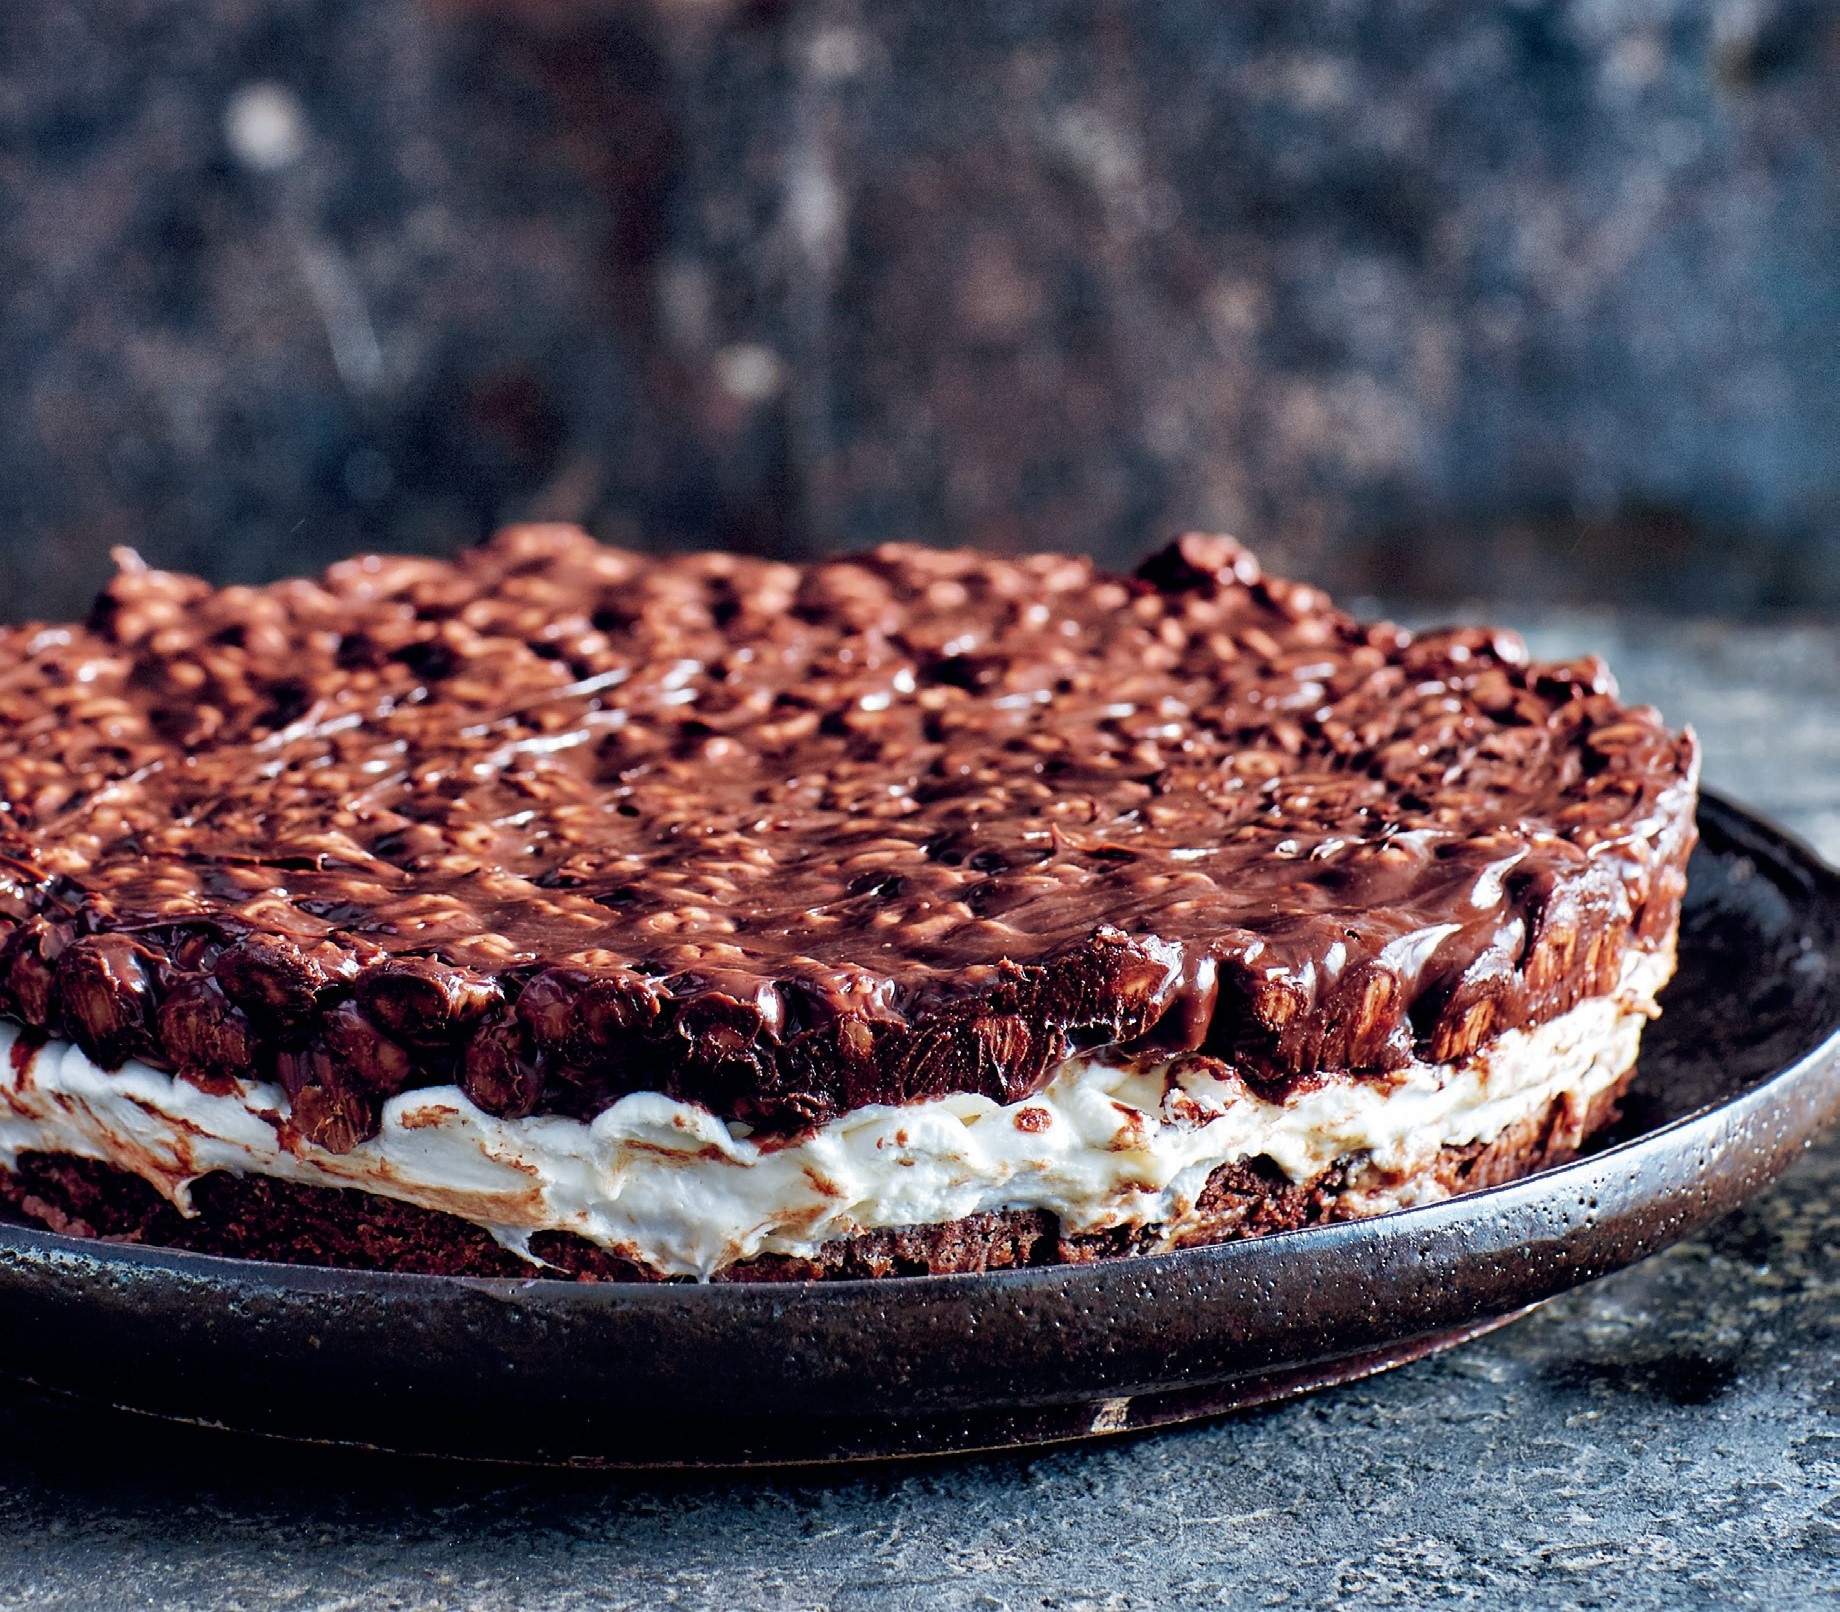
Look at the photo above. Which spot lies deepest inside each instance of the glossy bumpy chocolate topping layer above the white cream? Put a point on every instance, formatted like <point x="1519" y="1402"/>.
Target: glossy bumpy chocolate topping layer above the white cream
<point x="560" y="822"/>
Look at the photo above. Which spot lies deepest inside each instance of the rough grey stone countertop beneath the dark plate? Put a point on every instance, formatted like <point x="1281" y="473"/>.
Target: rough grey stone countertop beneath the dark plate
<point x="1664" y="1438"/>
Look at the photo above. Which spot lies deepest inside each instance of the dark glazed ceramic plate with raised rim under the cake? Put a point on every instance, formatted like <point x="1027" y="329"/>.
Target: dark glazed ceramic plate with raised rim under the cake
<point x="1742" y="1072"/>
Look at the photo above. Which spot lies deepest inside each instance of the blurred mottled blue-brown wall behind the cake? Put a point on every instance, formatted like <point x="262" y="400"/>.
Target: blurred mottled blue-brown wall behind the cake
<point x="1434" y="299"/>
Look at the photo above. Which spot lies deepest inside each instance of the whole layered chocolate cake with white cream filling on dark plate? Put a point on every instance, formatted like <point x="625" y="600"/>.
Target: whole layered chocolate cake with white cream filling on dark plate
<point x="568" y="910"/>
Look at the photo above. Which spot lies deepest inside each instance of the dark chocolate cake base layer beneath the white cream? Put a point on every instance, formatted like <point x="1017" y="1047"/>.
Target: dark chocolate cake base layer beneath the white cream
<point x="257" y="1217"/>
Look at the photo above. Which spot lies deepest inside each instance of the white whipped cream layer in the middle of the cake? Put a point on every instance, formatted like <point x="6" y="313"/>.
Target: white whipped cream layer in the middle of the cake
<point x="673" y="1188"/>
